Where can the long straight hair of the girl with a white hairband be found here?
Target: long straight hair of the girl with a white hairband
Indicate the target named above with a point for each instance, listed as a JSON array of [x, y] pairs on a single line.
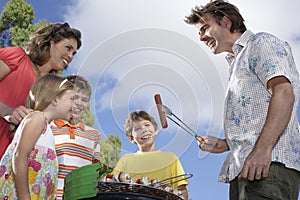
[[45, 90]]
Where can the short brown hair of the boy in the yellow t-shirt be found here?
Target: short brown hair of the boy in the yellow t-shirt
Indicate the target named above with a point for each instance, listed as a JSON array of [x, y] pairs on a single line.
[[138, 116]]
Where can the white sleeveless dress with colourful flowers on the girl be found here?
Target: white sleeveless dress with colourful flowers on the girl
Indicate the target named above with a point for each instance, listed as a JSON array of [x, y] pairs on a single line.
[[42, 168]]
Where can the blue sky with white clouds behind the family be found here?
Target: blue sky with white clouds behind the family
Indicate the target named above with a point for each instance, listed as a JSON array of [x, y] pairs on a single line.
[[124, 42]]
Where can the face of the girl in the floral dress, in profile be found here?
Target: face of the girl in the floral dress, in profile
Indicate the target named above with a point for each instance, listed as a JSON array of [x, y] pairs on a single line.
[[64, 105]]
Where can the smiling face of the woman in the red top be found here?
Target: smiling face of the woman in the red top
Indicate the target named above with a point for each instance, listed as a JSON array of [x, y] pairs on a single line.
[[62, 52]]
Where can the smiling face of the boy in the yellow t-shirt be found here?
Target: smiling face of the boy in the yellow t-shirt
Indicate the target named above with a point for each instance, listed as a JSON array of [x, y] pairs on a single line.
[[143, 133]]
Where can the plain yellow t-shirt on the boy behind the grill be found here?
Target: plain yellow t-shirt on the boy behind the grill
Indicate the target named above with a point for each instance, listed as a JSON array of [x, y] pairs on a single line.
[[155, 165]]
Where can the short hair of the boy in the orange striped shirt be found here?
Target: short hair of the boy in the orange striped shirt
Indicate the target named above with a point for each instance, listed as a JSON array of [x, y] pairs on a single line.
[[80, 84]]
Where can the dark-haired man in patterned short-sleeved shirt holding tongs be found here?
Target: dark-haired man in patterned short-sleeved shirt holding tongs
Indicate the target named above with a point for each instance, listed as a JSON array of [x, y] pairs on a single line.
[[260, 124]]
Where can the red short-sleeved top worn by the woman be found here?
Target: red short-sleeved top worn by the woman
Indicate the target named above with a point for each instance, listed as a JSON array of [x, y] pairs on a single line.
[[14, 88]]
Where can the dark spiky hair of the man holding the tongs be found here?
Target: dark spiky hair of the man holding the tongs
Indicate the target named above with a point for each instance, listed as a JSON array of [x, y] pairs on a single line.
[[218, 9]]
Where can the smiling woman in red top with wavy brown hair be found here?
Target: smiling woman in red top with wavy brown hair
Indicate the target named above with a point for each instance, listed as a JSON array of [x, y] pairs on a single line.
[[50, 49]]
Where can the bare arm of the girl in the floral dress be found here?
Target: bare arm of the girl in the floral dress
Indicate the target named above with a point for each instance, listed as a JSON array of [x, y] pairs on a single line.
[[32, 128]]
